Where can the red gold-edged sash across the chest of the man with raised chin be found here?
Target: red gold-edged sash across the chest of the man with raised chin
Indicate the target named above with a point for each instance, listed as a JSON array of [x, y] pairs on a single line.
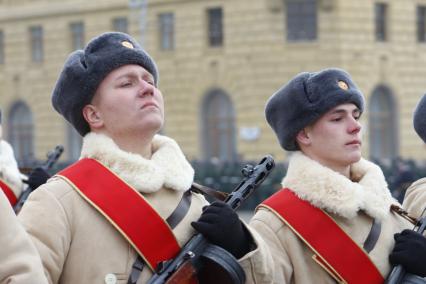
[[120, 204]]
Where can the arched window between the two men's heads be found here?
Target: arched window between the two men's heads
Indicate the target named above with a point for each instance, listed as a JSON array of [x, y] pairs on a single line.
[[218, 119]]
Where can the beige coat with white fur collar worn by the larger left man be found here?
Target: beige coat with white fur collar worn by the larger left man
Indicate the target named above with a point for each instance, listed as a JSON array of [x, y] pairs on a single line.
[[77, 244]]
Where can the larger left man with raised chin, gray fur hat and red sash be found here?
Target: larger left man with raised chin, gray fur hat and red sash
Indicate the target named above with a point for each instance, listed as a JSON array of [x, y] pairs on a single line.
[[92, 220]]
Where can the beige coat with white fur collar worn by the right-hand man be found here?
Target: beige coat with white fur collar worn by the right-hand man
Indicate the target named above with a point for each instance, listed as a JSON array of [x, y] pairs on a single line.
[[353, 204]]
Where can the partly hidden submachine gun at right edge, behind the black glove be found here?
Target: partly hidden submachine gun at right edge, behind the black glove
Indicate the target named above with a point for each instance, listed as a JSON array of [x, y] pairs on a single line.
[[398, 274]]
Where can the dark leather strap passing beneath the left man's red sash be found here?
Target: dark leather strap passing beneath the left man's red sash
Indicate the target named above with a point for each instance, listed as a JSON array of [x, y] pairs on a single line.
[[173, 220]]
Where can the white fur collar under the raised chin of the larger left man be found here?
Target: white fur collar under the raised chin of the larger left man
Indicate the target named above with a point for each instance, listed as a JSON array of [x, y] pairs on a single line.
[[167, 167]]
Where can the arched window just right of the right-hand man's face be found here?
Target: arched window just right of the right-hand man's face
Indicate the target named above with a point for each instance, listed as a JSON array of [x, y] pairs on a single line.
[[383, 126]]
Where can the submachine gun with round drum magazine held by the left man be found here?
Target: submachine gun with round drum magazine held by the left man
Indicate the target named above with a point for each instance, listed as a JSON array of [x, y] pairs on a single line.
[[201, 262]]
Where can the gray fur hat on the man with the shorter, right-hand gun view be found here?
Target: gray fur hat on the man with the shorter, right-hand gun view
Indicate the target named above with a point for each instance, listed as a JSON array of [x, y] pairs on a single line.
[[305, 98]]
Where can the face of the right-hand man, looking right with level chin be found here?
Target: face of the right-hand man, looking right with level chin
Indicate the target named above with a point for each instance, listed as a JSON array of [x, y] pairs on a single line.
[[335, 139]]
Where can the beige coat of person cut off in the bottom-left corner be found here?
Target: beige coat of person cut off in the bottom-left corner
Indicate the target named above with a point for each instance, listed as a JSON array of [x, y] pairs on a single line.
[[19, 260]]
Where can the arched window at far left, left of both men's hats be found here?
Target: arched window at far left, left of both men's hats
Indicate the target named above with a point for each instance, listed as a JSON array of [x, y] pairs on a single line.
[[21, 133]]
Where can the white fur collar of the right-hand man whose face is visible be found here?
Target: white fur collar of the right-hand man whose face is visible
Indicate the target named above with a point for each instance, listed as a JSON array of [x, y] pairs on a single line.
[[333, 192]]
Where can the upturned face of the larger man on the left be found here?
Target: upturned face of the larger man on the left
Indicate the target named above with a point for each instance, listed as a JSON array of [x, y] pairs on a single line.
[[128, 102]]
